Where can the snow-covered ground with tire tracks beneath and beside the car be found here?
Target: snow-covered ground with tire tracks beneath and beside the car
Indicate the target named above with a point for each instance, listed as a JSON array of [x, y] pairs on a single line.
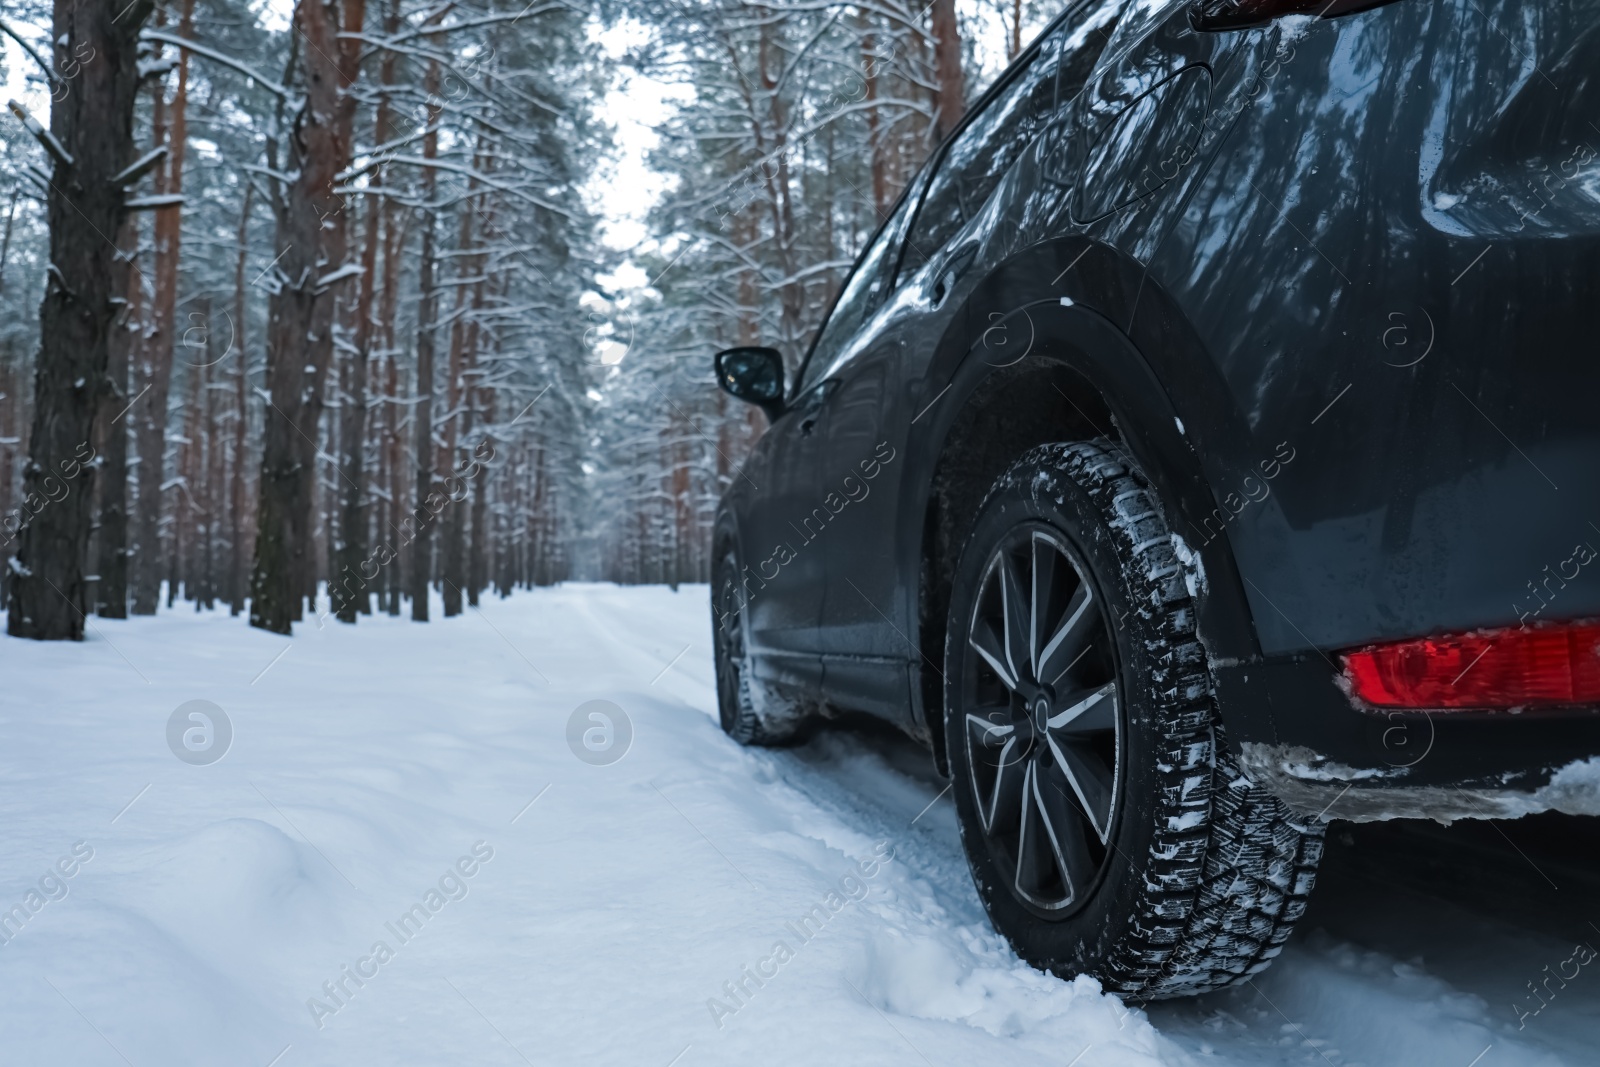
[[580, 914]]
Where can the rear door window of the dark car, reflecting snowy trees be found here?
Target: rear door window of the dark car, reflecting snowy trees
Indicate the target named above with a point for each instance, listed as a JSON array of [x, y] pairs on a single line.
[[991, 143]]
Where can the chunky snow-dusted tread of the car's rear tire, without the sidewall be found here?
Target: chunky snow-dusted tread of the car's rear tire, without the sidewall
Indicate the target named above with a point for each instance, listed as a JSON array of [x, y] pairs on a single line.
[[1230, 868]]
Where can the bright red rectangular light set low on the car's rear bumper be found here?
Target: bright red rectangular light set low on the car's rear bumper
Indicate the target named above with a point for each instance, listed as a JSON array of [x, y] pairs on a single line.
[[1510, 668]]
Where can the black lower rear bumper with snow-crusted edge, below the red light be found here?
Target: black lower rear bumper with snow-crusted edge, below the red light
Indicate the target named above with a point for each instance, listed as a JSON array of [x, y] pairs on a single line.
[[1298, 733]]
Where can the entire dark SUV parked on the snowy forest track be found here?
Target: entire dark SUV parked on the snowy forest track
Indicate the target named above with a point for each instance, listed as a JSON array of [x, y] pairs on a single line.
[[1207, 447]]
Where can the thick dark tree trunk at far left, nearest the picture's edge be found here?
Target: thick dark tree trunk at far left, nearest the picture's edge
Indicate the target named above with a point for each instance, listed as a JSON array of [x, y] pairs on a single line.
[[94, 127]]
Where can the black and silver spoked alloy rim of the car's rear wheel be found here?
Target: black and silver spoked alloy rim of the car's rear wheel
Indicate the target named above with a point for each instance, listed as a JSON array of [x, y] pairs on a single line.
[[1042, 721]]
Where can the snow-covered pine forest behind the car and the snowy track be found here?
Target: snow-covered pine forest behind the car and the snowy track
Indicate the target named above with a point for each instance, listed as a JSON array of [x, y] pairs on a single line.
[[329, 295]]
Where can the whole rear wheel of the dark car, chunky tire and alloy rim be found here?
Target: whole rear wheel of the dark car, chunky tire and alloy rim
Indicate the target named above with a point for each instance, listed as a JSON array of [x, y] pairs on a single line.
[[1108, 826]]
